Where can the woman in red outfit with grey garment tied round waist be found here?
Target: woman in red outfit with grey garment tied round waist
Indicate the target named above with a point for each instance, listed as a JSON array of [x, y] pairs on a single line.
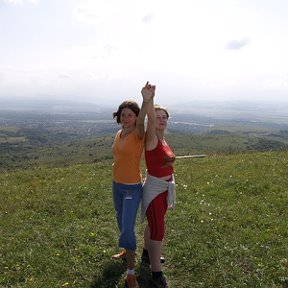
[[159, 159]]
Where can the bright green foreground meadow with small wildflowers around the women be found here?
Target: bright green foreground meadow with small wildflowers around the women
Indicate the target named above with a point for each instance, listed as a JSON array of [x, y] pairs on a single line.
[[229, 228]]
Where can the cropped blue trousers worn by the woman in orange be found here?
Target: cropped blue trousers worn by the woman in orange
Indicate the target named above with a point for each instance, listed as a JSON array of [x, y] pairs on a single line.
[[126, 203]]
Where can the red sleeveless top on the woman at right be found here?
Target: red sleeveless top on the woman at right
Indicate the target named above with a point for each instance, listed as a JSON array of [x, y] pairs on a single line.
[[159, 160]]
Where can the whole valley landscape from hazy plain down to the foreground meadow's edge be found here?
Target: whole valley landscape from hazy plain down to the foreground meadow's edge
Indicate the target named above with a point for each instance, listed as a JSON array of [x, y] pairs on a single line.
[[33, 138]]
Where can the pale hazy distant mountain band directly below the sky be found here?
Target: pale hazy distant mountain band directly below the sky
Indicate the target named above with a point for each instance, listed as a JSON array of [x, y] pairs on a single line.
[[252, 110]]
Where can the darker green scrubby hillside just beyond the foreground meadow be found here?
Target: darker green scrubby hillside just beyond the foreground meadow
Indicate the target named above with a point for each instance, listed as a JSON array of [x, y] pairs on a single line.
[[17, 152]]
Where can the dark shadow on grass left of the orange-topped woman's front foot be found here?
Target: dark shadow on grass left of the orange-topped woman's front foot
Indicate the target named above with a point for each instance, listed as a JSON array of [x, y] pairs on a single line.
[[110, 276]]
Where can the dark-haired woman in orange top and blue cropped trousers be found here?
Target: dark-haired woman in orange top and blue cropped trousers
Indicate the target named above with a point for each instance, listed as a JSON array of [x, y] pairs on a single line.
[[127, 180]]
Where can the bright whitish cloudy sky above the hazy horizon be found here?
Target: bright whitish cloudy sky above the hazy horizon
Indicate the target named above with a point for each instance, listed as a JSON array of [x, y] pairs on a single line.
[[104, 51]]
